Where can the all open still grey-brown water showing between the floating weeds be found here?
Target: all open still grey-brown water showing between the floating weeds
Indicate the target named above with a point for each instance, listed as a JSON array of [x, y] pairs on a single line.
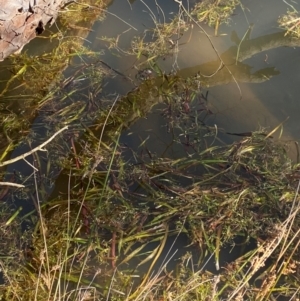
[[265, 94]]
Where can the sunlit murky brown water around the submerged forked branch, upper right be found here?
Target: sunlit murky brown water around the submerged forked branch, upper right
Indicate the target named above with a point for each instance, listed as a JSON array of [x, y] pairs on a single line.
[[260, 60]]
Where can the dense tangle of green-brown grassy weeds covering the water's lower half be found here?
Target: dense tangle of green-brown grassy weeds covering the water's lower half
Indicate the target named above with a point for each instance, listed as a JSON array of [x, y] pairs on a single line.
[[85, 238]]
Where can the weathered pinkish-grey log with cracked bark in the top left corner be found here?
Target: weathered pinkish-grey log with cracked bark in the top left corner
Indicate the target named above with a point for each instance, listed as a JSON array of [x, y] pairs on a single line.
[[22, 20]]
